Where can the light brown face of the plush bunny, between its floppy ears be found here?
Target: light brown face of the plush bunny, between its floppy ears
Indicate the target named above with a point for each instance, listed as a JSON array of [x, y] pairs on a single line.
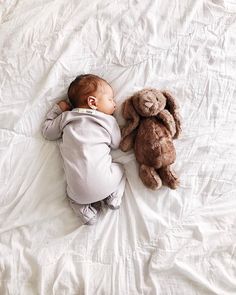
[[148, 102]]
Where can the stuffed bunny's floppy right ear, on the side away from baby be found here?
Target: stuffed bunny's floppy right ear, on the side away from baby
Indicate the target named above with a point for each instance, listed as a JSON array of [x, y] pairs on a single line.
[[173, 107]]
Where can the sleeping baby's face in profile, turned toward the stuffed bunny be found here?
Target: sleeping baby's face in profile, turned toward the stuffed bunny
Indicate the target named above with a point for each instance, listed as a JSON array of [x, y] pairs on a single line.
[[105, 99]]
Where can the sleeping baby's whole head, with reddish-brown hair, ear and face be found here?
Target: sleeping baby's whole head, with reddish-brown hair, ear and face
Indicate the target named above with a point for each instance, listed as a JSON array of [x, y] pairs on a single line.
[[91, 91]]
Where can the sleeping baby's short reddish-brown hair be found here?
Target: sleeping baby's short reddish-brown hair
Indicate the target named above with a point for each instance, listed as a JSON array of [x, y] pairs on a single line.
[[81, 87]]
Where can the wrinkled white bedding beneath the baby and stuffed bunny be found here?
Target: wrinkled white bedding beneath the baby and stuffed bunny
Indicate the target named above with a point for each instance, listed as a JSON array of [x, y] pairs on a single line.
[[159, 242]]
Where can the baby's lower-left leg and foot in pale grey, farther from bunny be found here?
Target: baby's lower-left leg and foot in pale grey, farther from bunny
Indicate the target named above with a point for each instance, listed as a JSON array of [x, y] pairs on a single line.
[[86, 212]]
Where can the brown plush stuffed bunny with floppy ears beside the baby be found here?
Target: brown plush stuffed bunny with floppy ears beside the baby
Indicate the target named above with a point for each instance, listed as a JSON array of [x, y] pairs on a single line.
[[153, 121]]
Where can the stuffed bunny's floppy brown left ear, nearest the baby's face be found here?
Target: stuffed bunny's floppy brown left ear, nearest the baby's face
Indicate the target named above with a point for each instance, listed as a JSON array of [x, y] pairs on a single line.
[[132, 117]]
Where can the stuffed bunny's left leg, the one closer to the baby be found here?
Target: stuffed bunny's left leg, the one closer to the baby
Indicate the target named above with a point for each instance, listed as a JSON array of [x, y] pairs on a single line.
[[150, 177]]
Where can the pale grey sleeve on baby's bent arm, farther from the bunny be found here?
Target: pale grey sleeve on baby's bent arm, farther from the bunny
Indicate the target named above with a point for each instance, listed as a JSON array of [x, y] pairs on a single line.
[[51, 127]]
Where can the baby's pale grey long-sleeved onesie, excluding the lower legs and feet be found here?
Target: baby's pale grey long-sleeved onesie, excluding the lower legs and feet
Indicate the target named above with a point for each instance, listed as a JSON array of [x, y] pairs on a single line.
[[87, 137]]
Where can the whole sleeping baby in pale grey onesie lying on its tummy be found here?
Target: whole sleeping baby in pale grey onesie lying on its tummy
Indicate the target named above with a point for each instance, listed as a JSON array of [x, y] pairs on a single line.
[[88, 132]]
